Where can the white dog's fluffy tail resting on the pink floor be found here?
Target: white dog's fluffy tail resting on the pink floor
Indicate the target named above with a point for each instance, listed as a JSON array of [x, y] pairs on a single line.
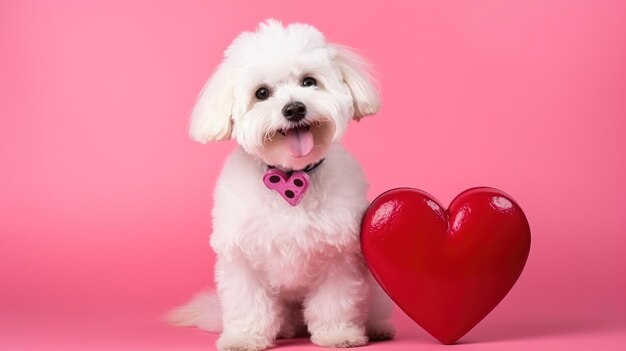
[[203, 311]]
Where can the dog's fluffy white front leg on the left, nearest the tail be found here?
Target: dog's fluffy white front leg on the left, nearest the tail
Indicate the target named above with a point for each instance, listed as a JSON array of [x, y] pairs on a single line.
[[249, 310]]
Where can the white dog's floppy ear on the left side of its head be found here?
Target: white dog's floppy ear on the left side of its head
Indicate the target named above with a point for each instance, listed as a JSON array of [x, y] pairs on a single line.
[[211, 116]]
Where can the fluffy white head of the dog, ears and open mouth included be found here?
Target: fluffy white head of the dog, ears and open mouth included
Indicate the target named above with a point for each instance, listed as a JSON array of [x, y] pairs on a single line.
[[284, 94]]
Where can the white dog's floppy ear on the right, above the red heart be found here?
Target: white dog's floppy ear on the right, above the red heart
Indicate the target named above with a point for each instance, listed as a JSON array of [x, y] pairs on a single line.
[[356, 74]]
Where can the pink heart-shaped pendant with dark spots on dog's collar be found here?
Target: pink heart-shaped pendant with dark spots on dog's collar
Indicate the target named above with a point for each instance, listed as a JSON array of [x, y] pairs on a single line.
[[291, 187]]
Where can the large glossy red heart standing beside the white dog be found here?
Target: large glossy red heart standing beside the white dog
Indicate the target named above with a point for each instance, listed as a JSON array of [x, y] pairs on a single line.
[[447, 269]]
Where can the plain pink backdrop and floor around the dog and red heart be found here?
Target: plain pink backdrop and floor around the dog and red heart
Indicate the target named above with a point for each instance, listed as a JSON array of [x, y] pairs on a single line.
[[104, 202]]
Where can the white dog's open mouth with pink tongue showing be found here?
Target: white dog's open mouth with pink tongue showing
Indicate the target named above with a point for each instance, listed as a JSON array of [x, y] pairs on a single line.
[[301, 139]]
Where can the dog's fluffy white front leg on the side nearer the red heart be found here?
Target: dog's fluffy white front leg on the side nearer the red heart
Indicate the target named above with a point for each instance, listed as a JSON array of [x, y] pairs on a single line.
[[336, 308]]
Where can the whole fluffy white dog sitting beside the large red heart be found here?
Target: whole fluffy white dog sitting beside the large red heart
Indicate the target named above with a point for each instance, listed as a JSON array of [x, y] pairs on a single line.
[[288, 256]]
